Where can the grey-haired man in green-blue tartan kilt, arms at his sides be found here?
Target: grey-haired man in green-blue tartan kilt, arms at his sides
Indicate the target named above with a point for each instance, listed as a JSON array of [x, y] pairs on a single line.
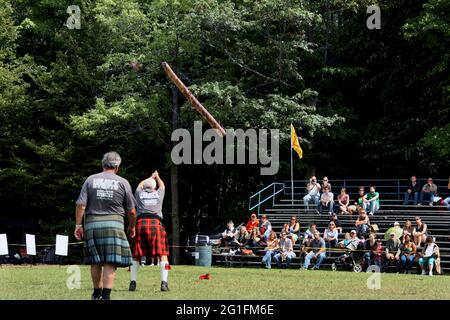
[[104, 199]]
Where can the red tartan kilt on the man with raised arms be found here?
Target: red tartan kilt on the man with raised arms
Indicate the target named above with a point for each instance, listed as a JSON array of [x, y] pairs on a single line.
[[151, 239]]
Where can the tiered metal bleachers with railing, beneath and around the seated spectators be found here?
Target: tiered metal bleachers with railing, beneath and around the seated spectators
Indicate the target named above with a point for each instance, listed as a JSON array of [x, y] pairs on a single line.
[[277, 203]]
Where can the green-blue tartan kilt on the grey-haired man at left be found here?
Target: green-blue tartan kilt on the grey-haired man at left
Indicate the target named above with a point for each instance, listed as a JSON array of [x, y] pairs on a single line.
[[106, 241]]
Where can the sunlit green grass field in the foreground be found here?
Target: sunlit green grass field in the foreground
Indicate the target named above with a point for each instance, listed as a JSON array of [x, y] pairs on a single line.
[[49, 282]]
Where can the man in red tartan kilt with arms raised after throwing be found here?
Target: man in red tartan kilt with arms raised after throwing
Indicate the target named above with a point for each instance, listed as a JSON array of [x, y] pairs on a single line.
[[151, 237]]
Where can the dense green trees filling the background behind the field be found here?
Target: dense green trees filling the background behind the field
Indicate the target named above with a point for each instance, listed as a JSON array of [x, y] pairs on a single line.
[[366, 103]]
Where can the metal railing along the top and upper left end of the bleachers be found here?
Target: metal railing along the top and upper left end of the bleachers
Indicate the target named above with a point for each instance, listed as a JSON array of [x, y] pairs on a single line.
[[389, 189]]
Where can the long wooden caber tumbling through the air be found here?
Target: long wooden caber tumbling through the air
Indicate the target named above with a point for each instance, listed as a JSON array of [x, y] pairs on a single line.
[[193, 100]]
